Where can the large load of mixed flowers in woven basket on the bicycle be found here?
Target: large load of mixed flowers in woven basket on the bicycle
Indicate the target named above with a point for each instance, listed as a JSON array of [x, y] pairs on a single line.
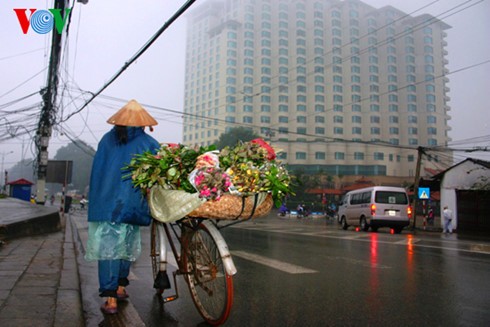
[[238, 182]]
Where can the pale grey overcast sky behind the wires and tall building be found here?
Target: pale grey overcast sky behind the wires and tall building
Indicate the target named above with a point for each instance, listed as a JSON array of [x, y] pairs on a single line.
[[105, 34]]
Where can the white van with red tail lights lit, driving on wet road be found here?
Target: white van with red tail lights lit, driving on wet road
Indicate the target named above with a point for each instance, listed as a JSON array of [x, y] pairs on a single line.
[[377, 206]]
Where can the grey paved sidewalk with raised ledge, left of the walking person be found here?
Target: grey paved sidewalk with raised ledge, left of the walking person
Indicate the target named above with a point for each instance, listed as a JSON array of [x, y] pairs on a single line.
[[40, 283]]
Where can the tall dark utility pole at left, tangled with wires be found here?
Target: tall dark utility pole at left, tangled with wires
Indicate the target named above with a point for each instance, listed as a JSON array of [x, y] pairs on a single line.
[[49, 109]]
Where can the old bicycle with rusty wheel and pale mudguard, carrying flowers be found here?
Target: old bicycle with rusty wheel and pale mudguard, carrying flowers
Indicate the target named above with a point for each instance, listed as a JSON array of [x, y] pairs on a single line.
[[203, 259]]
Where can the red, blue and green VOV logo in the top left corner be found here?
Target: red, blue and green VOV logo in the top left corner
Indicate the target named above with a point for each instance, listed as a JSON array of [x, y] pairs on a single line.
[[42, 21]]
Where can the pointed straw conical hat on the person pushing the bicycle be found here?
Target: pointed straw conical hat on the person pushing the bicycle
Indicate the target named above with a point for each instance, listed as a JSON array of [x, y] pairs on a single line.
[[132, 114]]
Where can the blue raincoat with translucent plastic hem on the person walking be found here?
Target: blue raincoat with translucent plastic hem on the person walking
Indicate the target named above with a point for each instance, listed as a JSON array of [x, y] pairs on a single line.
[[117, 209]]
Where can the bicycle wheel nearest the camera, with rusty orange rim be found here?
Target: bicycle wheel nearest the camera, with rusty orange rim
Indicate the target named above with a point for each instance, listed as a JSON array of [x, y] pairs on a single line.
[[210, 286]]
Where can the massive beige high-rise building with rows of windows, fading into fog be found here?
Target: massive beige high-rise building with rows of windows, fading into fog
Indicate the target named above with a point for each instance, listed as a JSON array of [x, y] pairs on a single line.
[[340, 86]]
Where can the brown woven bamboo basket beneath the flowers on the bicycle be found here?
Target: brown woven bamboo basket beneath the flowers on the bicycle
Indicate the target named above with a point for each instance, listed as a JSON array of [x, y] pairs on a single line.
[[235, 207]]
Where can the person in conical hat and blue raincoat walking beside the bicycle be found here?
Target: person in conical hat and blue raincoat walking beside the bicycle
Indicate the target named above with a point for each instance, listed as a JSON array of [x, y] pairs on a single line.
[[116, 209]]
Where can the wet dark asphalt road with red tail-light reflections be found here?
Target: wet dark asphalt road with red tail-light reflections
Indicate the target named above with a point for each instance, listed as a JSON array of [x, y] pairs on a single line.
[[308, 273]]
